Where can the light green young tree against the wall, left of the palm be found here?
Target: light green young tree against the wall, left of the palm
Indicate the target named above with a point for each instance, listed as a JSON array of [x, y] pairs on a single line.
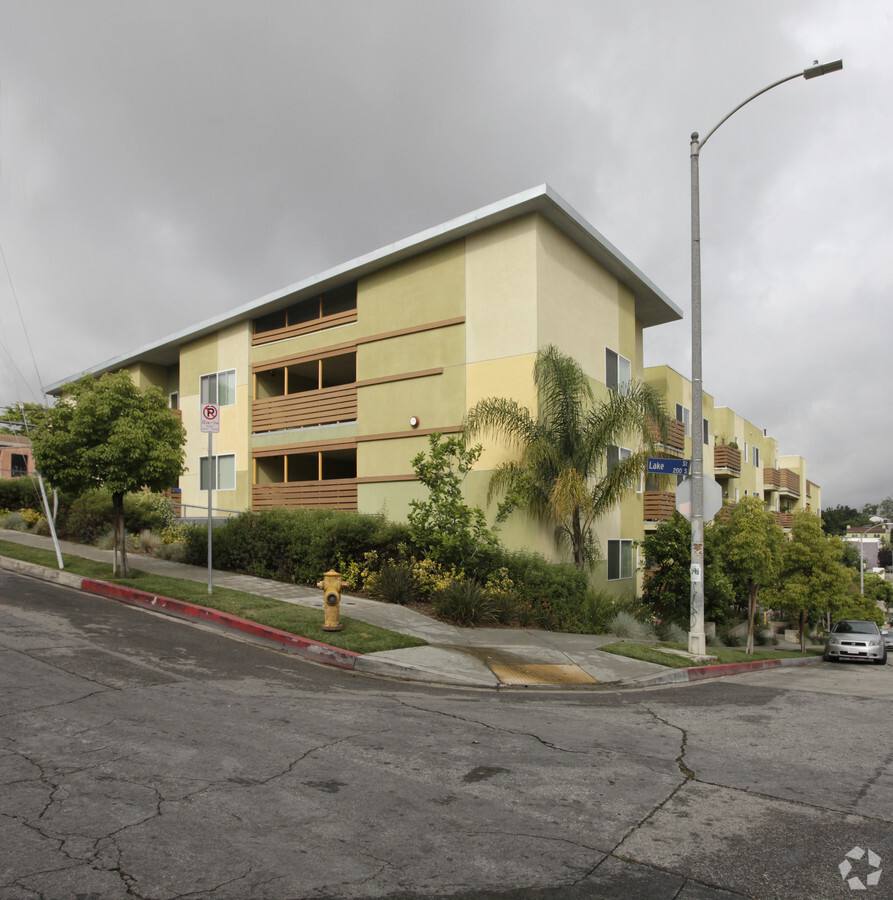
[[450, 532]]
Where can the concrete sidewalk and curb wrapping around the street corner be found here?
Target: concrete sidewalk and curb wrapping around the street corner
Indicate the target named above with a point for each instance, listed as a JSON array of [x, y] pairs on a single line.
[[470, 657]]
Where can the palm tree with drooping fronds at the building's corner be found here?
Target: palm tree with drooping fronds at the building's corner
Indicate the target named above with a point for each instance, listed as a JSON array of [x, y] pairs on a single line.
[[563, 475]]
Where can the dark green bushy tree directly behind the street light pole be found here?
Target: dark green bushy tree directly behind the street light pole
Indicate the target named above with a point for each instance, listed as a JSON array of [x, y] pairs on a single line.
[[667, 586]]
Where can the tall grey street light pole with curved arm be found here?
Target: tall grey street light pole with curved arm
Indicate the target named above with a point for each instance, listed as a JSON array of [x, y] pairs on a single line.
[[697, 641]]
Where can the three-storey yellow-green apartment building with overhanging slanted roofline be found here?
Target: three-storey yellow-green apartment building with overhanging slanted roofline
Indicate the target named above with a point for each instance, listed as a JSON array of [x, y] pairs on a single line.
[[328, 388]]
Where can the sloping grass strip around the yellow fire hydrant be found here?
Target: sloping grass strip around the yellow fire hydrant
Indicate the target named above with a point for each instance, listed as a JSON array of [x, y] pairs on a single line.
[[356, 636]]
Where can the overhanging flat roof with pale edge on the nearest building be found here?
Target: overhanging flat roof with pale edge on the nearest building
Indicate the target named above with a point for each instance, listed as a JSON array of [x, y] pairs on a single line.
[[653, 307]]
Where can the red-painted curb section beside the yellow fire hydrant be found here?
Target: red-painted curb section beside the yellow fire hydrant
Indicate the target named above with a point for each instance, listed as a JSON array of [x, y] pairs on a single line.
[[314, 650]]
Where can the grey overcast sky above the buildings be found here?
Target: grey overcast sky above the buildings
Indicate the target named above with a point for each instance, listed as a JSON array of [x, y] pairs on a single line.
[[161, 163]]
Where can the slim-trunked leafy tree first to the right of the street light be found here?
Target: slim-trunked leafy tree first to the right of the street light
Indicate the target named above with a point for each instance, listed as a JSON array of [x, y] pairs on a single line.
[[750, 544]]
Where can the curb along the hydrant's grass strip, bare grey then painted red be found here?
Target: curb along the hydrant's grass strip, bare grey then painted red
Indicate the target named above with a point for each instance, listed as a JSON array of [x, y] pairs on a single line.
[[313, 650]]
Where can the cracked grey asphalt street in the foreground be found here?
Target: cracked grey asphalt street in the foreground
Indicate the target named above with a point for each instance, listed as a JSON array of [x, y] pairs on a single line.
[[145, 757]]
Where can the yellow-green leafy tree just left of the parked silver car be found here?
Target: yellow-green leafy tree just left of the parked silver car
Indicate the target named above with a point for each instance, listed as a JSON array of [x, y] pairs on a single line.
[[812, 577]]
